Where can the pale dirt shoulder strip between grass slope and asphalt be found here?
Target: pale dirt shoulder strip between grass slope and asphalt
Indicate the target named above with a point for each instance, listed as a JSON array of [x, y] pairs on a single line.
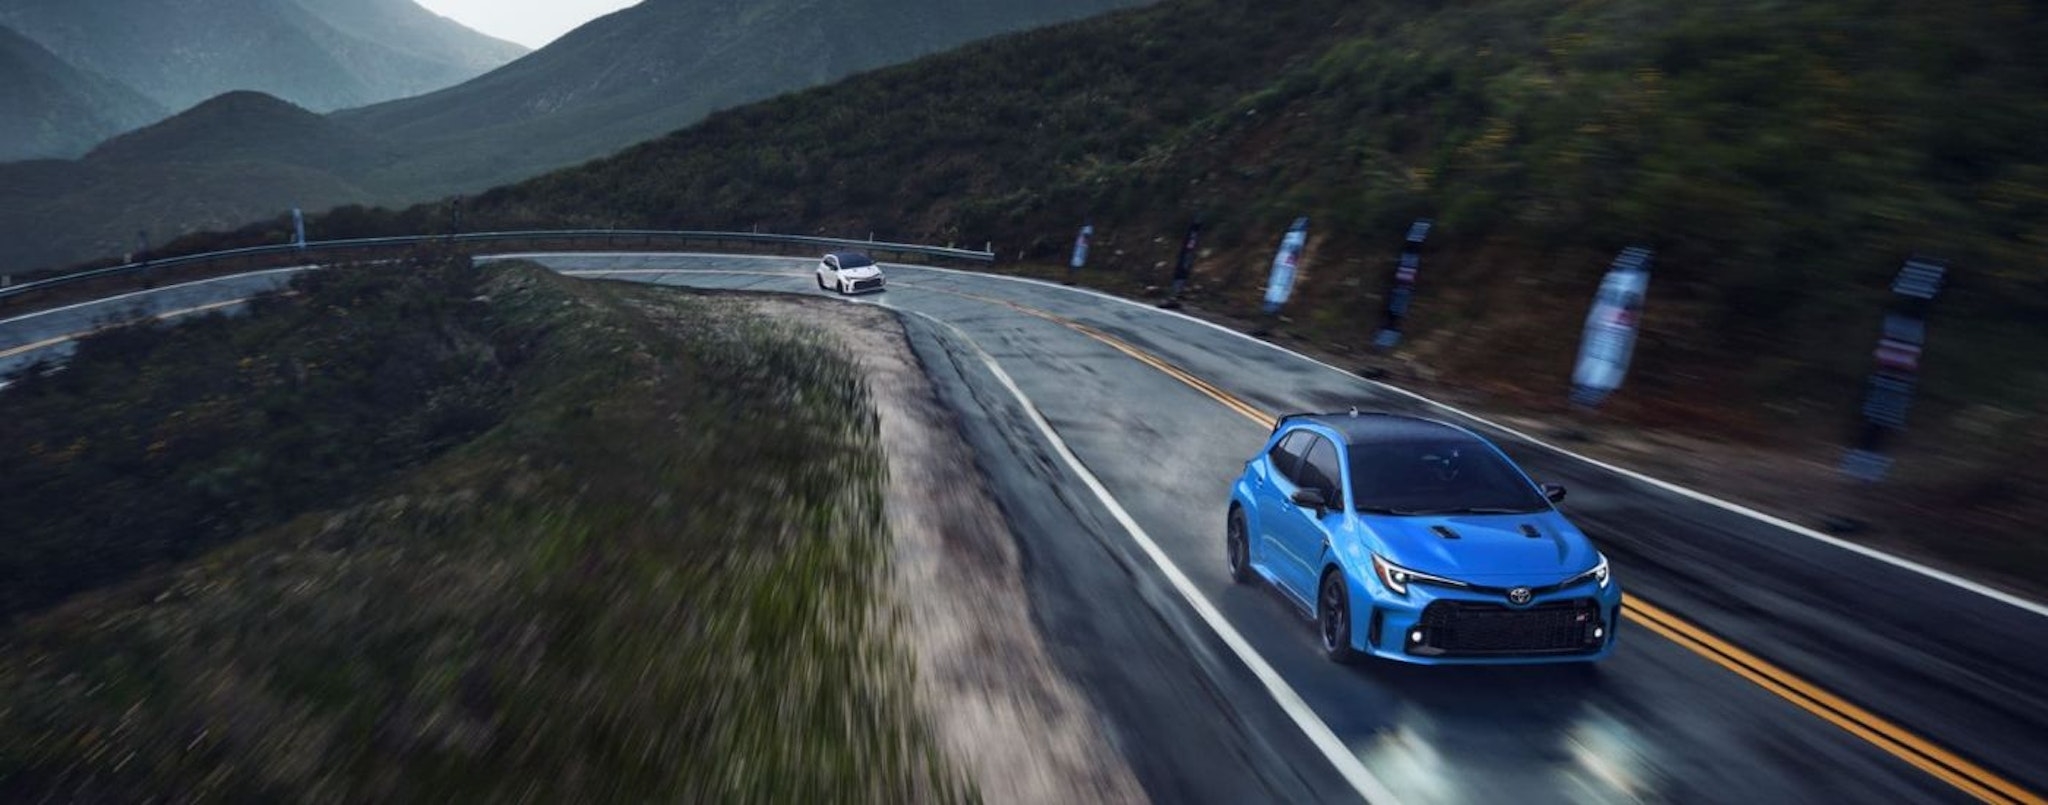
[[996, 700]]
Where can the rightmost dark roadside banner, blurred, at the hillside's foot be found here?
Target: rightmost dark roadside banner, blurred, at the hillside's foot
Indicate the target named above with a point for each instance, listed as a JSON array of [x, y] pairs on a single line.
[[1897, 368]]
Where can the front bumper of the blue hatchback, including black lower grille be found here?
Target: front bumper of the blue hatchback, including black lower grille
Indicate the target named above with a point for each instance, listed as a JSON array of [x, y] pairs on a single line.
[[1447, 626]]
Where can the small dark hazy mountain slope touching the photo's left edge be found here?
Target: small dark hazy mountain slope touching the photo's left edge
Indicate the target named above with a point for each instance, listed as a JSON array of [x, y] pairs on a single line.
[[52, 110]]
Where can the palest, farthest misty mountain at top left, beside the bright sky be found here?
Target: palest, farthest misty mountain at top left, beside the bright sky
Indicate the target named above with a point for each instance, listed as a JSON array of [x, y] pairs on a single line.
[[321, 54]]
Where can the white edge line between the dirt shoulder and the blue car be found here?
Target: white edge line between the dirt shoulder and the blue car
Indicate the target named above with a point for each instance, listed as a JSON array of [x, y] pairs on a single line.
[[1283, 693]]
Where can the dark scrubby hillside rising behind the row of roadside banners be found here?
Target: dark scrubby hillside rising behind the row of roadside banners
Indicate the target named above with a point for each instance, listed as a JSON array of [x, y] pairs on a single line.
[[1783, 161]]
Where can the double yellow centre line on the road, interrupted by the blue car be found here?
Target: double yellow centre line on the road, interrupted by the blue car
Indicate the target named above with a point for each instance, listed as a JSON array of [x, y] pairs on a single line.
[[1859, 722]]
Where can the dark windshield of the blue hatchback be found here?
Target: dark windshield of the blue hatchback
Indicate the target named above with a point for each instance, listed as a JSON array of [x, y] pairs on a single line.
[[1439, 478]]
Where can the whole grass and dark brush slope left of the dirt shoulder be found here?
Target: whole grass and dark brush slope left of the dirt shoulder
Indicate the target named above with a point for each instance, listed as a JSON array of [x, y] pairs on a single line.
[[540, 566]]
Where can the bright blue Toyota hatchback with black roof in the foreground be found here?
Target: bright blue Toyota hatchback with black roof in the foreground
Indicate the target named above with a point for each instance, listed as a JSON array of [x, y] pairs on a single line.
[[1420, 542]]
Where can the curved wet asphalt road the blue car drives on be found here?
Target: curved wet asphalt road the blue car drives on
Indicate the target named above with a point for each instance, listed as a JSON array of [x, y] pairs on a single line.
[[1760, 663]]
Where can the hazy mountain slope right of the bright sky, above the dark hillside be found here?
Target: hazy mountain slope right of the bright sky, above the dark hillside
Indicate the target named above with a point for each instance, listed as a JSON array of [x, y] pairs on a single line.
[[667, 65]]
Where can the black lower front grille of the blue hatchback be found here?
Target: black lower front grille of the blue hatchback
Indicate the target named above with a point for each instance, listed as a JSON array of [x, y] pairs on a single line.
[[1469, 628]]
